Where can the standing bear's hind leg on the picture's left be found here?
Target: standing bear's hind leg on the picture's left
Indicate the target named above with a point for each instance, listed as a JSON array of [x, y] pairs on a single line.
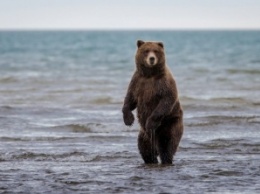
[[145, 148]]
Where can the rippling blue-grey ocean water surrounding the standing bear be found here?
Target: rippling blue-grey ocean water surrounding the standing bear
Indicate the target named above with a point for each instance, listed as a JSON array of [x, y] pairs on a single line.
[[61, 127]]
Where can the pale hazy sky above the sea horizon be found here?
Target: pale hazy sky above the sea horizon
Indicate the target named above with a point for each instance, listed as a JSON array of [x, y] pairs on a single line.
[[129, 14]]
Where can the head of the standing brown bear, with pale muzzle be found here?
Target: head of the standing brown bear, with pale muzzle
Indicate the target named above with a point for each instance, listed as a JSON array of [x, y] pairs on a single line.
[[150, 57]]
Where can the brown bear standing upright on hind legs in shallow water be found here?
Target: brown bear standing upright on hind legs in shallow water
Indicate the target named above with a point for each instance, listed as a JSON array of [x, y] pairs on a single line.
[[153, 92]]
